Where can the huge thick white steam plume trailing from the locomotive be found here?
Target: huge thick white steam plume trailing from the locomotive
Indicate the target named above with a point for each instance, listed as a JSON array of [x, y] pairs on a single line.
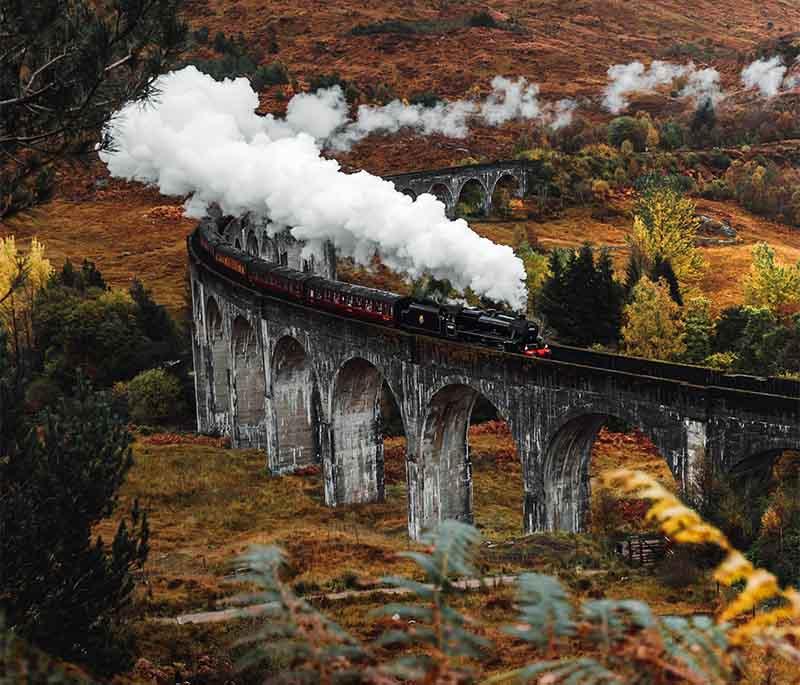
[[202, 137]]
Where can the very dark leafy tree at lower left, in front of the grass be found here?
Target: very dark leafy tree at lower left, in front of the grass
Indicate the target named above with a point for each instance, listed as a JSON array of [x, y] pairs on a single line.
[[60, 586]]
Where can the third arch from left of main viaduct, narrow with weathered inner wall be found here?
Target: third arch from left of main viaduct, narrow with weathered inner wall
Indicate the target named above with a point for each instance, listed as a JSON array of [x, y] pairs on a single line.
[[296, 406]]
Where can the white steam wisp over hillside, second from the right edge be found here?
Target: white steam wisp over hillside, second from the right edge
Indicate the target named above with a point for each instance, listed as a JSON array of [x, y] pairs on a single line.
[[702, 85]]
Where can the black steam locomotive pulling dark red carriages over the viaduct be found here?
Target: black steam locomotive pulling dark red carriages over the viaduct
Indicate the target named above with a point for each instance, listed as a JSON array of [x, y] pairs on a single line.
[[489, 328]]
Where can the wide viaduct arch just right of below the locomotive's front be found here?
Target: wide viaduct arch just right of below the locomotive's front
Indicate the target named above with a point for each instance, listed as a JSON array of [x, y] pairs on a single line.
[[565, 489]]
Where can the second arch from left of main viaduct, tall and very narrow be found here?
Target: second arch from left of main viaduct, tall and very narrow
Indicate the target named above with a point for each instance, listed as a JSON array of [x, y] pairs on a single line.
[[249, 381]]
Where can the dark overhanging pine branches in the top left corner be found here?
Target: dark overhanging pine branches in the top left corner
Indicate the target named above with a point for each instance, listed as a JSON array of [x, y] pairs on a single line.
[[65, 67]]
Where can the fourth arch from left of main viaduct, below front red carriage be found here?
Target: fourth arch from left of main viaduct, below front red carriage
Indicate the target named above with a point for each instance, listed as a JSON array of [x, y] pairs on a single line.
[[357, 432]]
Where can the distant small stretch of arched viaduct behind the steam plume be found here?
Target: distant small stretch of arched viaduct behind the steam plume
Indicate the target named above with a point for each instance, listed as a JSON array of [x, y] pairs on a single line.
[[448, 184]]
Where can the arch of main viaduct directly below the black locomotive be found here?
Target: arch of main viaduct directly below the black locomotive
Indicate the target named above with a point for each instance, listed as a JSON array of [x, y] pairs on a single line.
[[444, 454]]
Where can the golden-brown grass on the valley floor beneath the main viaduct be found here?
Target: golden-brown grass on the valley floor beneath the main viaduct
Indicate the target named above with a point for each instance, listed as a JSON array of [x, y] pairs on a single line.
[[207, 504]]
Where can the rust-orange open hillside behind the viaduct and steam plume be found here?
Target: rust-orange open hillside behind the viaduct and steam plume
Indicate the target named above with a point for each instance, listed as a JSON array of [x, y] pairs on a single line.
[[566, 47]]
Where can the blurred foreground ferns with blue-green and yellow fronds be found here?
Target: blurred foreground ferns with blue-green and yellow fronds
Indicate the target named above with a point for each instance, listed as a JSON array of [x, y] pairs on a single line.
[[429, 639]]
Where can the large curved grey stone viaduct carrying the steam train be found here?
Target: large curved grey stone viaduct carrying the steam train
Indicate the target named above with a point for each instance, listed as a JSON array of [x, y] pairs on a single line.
[[305, 386]]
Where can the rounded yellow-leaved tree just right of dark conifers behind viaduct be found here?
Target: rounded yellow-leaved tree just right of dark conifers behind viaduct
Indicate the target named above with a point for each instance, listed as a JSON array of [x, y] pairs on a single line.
[[653, 326]]
